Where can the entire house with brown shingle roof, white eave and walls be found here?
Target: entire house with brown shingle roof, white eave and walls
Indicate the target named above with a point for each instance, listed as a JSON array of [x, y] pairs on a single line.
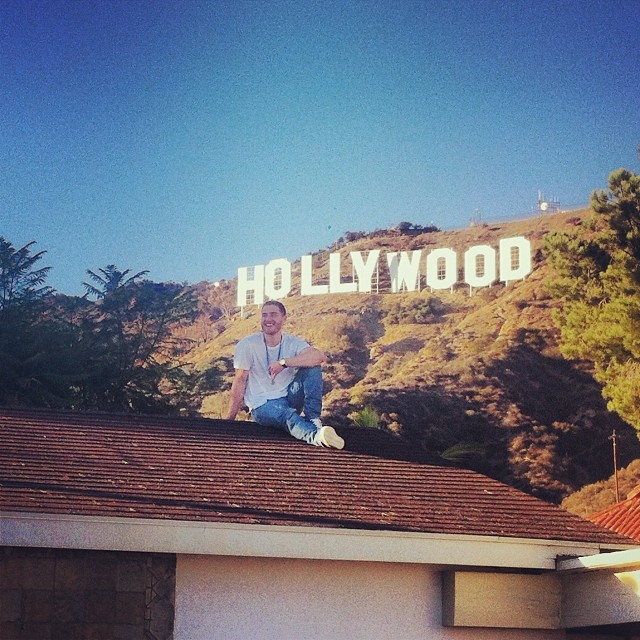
[[129, 526]]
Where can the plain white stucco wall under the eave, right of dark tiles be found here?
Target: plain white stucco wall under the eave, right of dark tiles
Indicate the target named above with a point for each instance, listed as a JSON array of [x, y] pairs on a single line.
[[231, 598]]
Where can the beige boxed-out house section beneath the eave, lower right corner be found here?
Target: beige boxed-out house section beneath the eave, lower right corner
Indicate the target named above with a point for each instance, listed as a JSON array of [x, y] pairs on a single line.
[[600, 593]]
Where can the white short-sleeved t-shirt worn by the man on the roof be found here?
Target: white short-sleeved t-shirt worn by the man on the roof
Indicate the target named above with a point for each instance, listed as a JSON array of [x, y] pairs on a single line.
[[252, 354]]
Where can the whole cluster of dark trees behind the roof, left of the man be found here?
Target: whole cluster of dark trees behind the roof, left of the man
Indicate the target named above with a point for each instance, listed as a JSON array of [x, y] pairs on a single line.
[[119, 352]]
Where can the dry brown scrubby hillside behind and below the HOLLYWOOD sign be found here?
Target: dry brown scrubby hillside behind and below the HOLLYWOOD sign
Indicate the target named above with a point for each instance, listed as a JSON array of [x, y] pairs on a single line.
[[473, 378]]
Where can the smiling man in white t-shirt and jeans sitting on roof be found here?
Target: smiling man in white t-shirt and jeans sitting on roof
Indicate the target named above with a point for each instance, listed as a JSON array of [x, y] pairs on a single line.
[[278, 377]]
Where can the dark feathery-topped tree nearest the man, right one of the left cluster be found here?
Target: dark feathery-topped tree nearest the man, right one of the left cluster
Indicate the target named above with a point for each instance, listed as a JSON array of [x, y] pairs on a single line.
[[136, 358]]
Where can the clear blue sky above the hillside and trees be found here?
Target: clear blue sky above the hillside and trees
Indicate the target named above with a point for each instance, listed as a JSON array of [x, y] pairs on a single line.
[[190, 138]]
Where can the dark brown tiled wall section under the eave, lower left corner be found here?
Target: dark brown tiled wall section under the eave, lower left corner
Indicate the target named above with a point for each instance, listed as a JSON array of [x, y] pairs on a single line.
[[55, 594]]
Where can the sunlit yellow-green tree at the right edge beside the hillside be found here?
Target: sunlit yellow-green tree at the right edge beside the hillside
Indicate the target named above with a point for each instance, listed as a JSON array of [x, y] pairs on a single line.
[[598, 278]]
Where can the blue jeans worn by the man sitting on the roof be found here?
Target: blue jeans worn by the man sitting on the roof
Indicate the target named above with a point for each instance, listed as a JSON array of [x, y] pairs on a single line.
[[304, 396]]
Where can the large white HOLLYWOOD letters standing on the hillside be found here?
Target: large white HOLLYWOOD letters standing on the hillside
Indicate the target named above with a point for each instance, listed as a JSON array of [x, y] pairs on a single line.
[[482, 266]]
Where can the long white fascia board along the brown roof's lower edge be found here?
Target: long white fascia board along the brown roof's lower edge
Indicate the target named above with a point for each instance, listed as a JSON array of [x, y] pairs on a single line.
[[210, 538]]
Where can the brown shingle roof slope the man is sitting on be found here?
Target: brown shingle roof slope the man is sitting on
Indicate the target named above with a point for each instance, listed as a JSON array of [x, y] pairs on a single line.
[[236, 472]]
